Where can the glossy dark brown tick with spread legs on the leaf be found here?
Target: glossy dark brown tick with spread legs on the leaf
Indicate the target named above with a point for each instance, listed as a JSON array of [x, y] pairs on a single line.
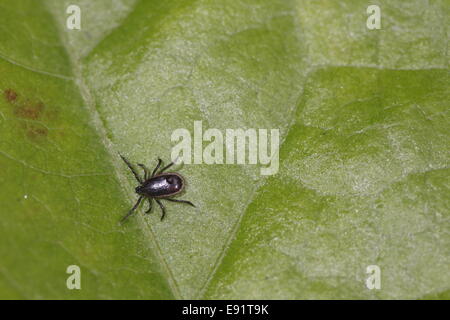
[[159, 185]]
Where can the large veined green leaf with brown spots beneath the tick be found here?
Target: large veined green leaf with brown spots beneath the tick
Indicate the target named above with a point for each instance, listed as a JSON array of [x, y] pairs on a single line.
[[363, 179]]
